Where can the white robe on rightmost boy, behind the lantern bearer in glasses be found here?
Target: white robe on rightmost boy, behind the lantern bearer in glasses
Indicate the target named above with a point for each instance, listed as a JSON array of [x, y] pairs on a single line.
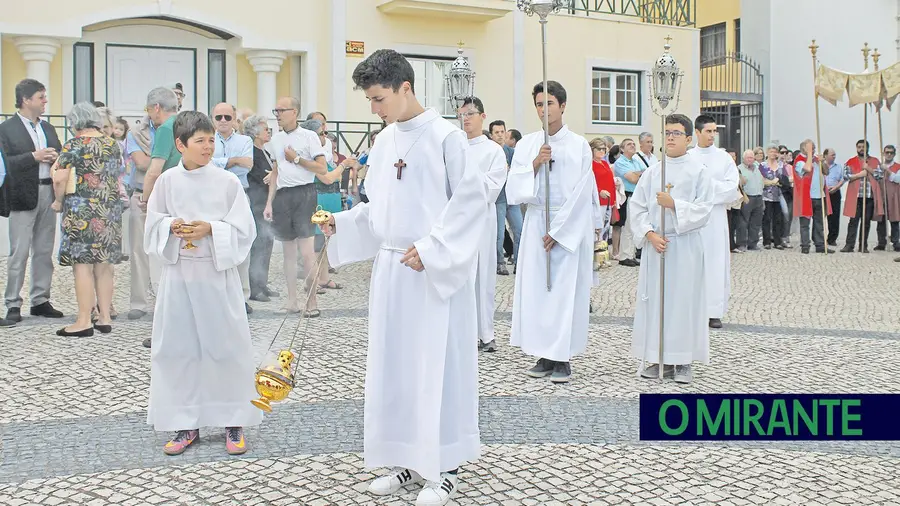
[[725, 181]]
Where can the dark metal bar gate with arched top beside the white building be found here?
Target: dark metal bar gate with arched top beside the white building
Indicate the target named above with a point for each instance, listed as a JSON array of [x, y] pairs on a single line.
[[731, 91]]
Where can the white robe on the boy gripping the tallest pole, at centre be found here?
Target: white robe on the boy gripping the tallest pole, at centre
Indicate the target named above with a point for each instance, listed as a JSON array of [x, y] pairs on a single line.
[[554, 325]]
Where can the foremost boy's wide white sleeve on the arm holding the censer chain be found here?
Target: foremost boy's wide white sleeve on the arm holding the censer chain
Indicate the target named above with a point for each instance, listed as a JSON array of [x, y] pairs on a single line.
[[353, 240]]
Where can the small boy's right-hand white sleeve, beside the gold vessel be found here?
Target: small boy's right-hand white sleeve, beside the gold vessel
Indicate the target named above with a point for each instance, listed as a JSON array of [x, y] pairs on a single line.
[[233, 235]]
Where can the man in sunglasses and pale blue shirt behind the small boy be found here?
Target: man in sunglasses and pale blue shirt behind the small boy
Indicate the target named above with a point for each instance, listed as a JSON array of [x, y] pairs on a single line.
[[234, 153]]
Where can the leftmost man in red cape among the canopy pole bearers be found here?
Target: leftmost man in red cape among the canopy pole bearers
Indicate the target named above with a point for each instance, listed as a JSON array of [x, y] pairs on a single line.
[[808, 189]]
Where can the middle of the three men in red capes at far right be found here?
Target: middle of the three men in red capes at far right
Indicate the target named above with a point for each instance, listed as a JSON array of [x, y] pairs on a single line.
[[855, 170]]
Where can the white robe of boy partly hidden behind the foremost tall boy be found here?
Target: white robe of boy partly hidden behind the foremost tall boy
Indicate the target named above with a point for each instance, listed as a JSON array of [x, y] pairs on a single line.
[[490, 159]]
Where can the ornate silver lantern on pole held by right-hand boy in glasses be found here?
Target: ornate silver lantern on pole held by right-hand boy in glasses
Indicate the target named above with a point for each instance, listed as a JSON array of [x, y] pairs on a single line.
[[665, 91]]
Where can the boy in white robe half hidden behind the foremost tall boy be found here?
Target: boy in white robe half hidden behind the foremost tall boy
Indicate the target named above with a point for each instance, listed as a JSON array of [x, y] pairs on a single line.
[[490, 159]]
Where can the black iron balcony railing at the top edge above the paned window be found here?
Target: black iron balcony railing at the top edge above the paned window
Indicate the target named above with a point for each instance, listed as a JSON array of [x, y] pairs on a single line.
[[657, 12]]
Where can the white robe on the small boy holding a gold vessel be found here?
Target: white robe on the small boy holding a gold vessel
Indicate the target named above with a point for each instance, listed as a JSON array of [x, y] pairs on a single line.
[[202, 368]]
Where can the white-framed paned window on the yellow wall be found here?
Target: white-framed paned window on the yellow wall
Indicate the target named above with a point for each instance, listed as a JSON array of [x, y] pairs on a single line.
[[616, 97]]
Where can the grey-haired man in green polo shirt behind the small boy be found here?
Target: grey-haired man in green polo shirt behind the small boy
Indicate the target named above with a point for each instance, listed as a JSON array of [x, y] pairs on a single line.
[[162, 107]]
